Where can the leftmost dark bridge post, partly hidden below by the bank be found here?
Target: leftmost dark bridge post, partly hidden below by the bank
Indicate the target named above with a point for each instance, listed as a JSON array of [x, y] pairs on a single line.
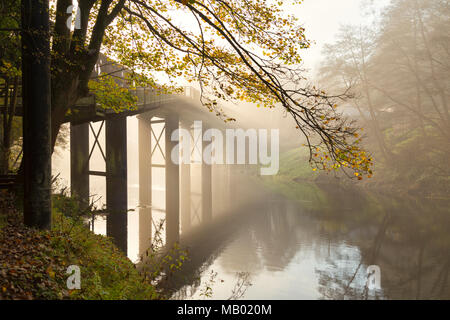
[[79, 162]]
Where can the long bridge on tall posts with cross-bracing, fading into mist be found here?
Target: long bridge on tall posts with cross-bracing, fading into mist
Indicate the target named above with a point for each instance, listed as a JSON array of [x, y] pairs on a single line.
[[159, 115]]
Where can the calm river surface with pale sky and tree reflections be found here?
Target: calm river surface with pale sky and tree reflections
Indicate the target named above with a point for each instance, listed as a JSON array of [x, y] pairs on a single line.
[[319, 247]]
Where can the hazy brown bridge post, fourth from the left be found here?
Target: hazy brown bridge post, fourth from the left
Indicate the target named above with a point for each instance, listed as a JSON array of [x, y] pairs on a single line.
[[172, 184]]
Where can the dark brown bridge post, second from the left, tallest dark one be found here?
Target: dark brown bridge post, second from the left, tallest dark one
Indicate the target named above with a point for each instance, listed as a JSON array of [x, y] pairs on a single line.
[[116, 181]]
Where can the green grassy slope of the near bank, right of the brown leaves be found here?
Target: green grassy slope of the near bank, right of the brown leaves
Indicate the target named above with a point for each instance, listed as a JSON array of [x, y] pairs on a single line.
[[106, 273]]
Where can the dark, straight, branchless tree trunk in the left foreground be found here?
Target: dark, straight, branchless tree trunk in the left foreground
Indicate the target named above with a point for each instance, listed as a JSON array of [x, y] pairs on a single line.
[[37, 113]]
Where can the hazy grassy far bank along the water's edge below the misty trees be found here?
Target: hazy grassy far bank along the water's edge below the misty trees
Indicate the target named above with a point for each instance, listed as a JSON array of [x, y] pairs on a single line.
[[411, 170]]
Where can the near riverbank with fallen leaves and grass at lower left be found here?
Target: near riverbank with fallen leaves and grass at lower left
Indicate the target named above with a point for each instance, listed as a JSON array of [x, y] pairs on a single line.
[[33, 263]]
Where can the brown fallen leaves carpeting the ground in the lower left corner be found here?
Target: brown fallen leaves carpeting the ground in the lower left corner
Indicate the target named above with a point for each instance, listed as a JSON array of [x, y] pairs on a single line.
[[28, 270]]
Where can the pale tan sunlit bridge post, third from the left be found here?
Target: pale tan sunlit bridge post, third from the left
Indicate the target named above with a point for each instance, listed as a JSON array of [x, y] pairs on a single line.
[[145, 185]]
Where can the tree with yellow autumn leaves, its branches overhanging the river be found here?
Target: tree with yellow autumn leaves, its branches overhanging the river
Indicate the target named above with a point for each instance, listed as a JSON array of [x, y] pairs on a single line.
[[239, 50]]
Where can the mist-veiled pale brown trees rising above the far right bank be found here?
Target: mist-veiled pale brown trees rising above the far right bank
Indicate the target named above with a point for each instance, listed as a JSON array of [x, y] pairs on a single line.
[[399, 74]]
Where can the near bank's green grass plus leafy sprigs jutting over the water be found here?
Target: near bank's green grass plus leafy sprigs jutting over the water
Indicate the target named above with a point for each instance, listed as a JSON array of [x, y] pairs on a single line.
[[106, 272]]
